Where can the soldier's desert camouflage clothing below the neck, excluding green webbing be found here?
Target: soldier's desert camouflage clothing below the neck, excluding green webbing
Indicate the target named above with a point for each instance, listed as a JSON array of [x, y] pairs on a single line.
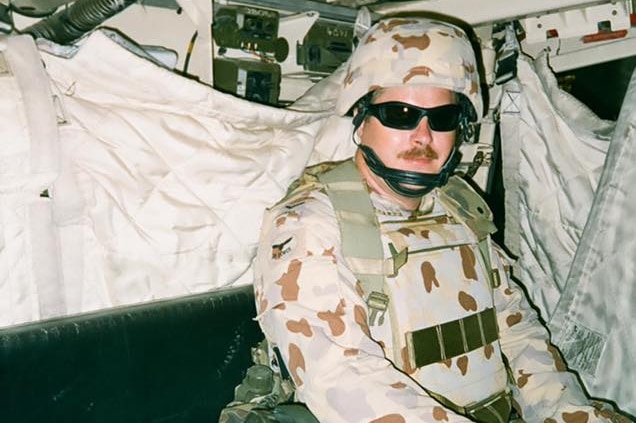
[[311, 307]]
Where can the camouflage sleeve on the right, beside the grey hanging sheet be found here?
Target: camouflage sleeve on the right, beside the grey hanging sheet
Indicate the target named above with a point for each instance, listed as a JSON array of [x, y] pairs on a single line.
[[544, 390]]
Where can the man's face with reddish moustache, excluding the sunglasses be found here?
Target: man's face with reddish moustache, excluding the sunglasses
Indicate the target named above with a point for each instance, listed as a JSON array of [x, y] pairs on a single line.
[[420, 149]]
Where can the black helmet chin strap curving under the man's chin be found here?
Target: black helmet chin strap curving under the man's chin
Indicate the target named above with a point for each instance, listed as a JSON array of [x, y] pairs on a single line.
[[396, 178]]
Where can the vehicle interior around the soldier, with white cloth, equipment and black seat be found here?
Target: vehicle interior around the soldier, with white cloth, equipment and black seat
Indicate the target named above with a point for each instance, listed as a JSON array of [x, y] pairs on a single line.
[[144, 139]]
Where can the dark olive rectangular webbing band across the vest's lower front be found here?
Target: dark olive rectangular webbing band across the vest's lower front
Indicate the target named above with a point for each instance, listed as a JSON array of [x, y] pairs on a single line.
[[451, 339]]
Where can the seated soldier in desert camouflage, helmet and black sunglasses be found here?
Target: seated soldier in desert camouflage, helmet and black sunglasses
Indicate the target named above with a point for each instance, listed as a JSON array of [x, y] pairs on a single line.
[[377, 285]]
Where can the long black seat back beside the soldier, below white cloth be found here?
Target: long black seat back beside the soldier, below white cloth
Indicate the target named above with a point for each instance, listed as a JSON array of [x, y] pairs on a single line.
[[167, 361]]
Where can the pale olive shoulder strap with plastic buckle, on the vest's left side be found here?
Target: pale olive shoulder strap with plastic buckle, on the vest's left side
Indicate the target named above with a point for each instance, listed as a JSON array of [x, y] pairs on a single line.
[[360, 234]]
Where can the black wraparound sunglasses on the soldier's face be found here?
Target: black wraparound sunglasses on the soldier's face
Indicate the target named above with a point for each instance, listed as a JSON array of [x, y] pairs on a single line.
[[397, 115]]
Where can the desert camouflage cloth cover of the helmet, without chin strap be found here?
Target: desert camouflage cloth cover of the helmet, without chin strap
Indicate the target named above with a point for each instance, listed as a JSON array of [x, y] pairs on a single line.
[[411, 51]]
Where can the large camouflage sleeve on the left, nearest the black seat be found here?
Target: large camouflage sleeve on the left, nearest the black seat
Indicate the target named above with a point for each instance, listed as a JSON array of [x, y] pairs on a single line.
[[309, 307]]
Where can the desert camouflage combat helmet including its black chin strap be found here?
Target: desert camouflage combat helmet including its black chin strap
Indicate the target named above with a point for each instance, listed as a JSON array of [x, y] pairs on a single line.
[[413, 50]]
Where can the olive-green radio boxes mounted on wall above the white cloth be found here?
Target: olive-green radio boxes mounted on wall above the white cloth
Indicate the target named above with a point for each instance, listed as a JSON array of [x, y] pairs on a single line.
[[259, 51]]
